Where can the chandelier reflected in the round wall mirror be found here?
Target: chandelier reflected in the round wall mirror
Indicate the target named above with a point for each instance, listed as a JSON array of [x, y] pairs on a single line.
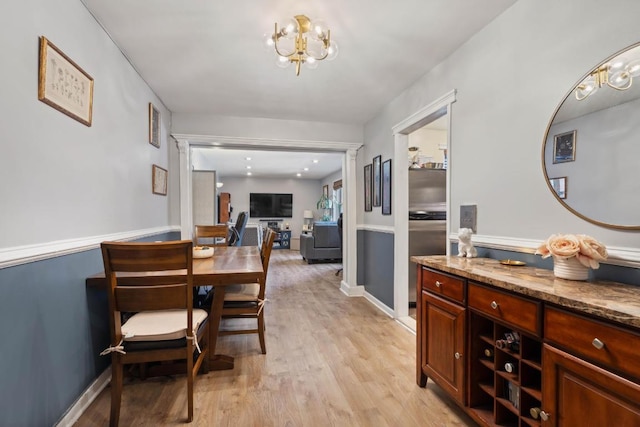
[[617, 74]]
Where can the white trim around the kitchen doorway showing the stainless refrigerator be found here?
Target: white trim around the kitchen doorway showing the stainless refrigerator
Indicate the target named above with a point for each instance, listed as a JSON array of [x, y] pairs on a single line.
[[401, 131]]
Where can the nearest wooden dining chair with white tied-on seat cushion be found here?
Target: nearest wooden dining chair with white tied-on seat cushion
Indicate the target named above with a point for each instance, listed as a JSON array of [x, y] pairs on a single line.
[[164, 326]]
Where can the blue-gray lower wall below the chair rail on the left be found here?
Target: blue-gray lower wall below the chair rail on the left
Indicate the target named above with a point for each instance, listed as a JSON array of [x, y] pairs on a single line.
[[52, 330]]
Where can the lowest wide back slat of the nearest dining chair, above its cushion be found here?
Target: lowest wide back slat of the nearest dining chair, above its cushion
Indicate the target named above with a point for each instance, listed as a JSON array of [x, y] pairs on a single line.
[[145, 298]]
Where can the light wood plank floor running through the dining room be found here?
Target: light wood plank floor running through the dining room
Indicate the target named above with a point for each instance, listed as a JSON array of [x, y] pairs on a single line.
[[331, 361]]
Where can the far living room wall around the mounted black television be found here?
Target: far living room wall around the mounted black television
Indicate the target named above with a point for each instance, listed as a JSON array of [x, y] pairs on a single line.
[[305, 196]]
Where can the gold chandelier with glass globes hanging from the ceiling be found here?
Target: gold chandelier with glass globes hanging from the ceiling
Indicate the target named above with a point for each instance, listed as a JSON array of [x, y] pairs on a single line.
[[301, 41]]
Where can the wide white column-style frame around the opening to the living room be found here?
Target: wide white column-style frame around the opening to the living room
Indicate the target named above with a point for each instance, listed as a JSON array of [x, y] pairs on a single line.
[[350, 256]]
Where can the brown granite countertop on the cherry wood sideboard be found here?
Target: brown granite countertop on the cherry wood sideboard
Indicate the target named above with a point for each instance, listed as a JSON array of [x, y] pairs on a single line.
[[610, 300]]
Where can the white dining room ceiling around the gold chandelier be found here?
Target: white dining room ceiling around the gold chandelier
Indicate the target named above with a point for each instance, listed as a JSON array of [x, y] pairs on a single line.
[[208, 57]]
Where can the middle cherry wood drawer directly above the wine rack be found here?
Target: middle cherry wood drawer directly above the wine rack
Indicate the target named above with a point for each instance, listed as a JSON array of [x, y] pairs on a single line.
[[519, 312]]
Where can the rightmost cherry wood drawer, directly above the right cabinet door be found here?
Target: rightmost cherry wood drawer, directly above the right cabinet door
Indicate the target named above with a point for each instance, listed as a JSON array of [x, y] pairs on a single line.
[[615, 348]]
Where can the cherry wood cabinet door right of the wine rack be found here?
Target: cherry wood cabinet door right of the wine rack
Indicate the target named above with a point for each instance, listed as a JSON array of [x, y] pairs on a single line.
[[576, 393]]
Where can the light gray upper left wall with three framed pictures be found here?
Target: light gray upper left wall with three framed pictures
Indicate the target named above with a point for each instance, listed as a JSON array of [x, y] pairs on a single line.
[[60, 178]]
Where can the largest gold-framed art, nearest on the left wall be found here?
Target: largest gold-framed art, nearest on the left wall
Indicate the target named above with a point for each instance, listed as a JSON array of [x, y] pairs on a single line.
[[63, 85]]
